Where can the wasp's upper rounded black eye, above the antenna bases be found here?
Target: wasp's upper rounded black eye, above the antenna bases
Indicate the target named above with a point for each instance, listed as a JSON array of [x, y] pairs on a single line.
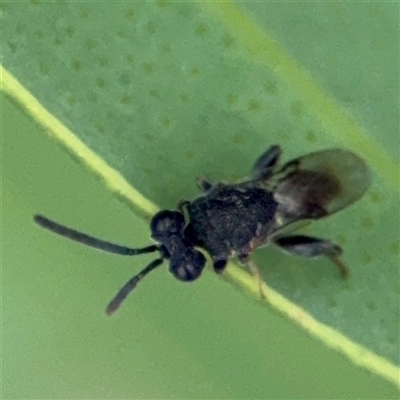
[[166, 223]]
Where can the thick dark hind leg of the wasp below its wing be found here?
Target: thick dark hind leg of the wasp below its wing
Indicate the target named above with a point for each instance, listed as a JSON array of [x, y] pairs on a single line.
[[305, 246]]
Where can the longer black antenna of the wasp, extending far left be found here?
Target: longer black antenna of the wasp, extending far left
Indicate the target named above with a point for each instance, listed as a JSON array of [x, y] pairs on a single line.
[[90, 240]]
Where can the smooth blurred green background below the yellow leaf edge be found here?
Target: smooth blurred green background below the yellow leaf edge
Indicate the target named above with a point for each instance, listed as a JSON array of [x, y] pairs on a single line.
[[170, 340]]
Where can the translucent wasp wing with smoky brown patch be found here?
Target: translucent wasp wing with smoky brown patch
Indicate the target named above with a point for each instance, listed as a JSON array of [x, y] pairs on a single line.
[[319, 184]]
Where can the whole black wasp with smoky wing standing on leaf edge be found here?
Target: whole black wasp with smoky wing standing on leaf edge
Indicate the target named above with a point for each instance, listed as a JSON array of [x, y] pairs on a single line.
[[229, 220]]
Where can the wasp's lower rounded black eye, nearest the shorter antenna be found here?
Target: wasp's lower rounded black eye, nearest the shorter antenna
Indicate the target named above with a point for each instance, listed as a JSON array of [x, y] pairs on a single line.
[[188, 267]]
